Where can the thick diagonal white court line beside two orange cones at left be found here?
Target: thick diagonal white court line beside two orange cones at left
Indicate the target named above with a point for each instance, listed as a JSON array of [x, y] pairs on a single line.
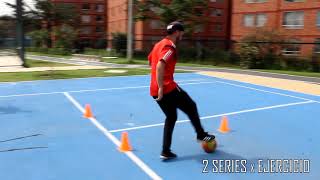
[[105, 131]]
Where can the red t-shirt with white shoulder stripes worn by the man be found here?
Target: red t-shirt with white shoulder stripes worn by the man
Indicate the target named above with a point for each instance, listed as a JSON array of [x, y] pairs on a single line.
[[165, 51]]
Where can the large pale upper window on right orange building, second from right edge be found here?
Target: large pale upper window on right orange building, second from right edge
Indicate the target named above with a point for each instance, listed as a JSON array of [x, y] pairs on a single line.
[[293, 19]]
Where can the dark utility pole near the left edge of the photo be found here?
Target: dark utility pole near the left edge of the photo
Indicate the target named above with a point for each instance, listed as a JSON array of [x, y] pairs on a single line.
[[20, 32]]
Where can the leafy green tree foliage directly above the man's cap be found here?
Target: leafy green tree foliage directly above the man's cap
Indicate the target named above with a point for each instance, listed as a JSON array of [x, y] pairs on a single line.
[[191, 12]]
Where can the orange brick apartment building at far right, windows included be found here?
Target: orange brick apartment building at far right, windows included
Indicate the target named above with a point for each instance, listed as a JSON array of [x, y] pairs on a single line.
[[297, 20]]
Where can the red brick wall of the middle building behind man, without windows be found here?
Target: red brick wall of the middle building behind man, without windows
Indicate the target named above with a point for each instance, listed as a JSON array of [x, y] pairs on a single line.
[[117, 22]]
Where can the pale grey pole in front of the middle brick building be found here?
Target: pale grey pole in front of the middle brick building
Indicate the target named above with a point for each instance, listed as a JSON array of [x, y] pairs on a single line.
[[130, 32]]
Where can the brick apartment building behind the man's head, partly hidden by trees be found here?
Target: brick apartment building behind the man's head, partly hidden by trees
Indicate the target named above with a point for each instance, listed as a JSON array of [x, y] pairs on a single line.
[[149, 31]]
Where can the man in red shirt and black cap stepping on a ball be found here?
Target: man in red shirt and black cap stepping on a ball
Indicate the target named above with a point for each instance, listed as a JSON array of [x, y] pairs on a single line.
[[167, 93]]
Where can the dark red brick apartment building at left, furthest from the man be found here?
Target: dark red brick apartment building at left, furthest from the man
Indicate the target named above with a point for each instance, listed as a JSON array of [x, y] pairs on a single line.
[[92, 20]]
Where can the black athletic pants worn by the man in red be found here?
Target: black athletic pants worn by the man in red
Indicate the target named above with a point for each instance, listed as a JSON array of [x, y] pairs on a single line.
[[178, 99]]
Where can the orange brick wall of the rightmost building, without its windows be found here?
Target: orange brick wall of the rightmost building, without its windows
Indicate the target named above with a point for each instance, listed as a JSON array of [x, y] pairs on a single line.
[[275, 10]]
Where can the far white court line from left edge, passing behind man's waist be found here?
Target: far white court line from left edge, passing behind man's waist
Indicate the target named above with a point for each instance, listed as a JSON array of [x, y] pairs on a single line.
[[93, 90]]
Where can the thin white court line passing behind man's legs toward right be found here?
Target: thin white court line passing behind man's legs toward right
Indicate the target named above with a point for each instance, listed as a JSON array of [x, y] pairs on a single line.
[[218, 115]]
